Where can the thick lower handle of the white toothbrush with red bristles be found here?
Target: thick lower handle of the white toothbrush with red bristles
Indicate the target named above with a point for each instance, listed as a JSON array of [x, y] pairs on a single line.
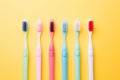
[[90, 64]]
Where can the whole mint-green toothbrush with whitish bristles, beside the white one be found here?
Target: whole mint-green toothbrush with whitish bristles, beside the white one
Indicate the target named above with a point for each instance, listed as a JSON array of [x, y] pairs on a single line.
[[77, 49]]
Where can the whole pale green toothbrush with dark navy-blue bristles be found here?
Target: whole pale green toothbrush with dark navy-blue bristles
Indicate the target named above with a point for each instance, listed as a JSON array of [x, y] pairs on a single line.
[[25, 51]]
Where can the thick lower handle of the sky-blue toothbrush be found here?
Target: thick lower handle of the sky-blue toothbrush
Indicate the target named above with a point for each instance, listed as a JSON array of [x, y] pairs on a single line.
[[64, 65]]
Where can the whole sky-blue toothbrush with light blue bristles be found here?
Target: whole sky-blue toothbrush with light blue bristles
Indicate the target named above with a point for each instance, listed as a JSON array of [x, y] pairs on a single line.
[[64, 52]]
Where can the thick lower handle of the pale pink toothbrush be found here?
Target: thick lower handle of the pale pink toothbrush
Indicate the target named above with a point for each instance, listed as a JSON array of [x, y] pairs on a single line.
[[38, 65]]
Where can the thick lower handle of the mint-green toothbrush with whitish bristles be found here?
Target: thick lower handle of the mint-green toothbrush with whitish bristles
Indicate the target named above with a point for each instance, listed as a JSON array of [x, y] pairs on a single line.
[[77, 62]]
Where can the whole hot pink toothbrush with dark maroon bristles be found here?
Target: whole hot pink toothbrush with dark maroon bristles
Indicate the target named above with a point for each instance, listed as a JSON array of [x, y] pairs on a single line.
[[51, 51]]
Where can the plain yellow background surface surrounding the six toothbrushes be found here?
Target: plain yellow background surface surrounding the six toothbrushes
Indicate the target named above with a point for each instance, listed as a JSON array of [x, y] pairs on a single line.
[[106, 36]]
